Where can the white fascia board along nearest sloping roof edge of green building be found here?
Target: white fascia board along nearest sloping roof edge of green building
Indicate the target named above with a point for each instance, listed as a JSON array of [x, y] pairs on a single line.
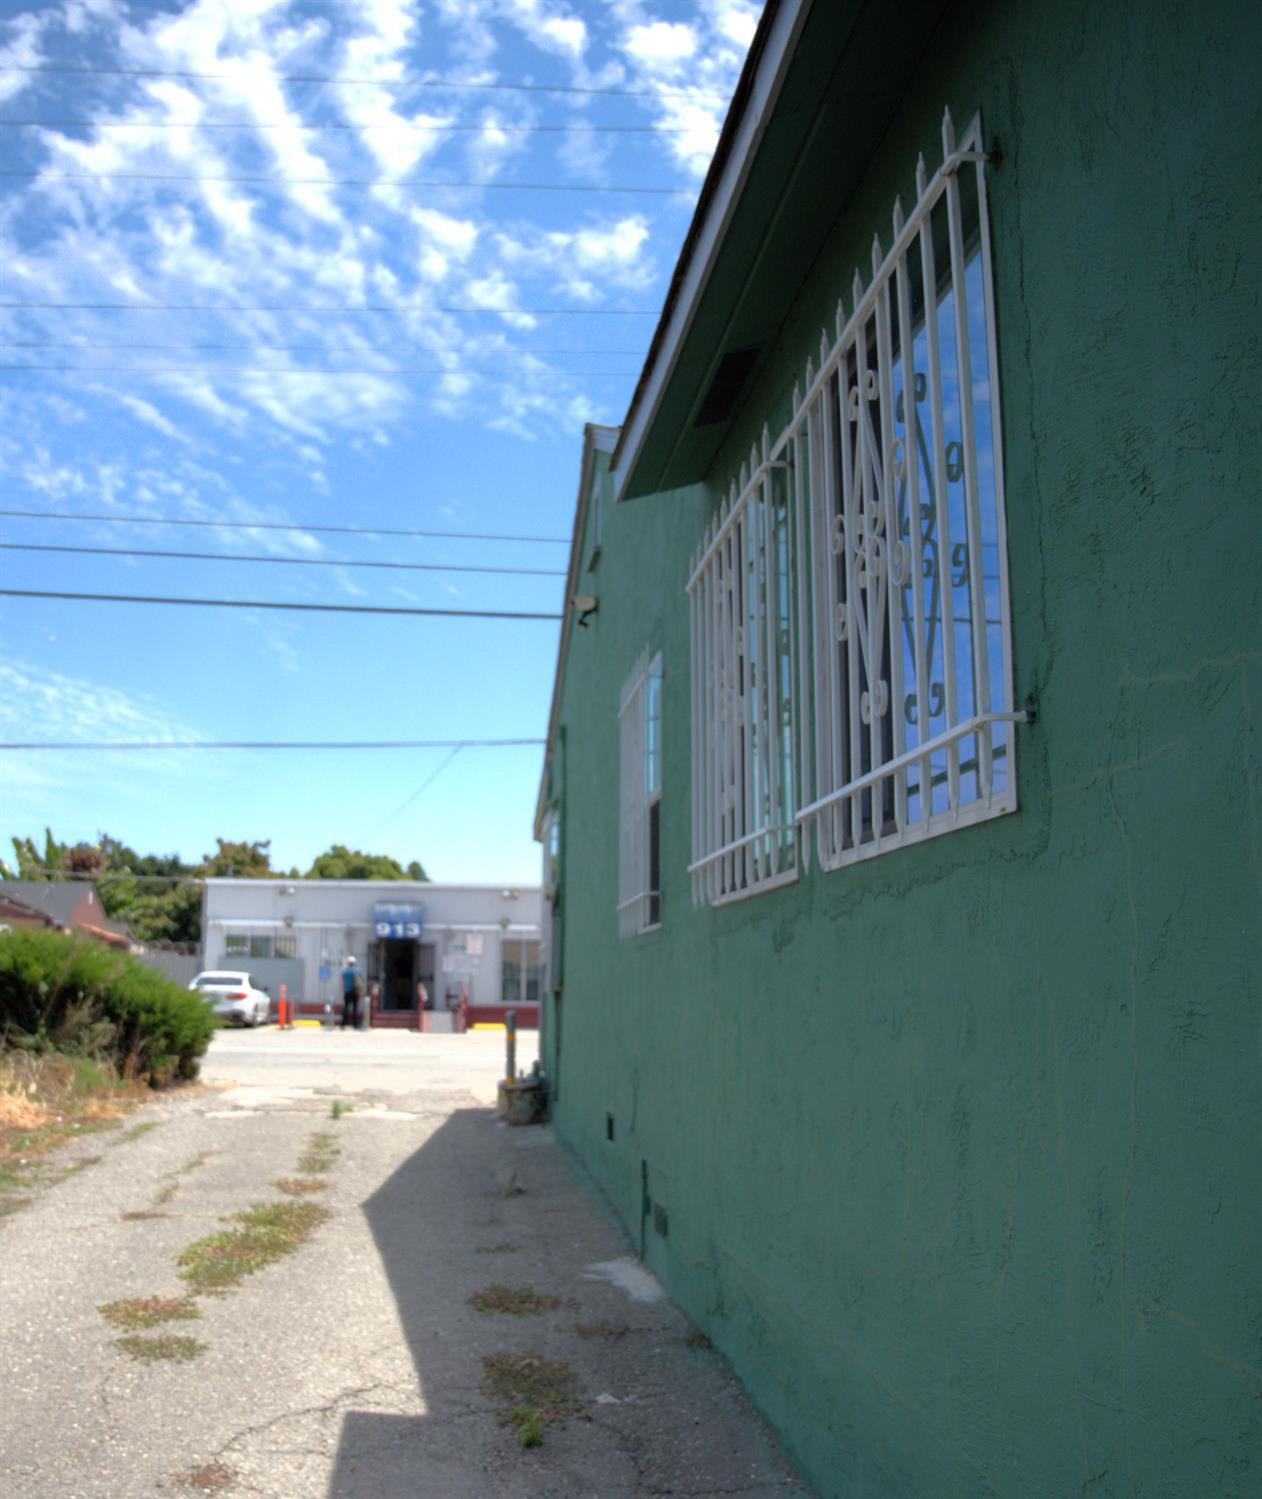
[[768, 80]]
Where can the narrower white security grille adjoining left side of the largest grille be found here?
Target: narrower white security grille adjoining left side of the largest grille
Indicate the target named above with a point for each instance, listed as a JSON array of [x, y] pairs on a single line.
[[743, 591]]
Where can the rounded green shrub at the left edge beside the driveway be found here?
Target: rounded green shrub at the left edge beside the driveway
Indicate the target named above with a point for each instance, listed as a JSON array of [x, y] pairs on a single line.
[[70, 995]]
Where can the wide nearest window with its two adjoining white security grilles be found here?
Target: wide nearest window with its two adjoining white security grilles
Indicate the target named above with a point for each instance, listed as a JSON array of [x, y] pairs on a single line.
[[893, 690]]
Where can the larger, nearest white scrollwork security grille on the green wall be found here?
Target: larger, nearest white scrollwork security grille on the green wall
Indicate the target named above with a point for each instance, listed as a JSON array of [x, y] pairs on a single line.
[[897, 459]]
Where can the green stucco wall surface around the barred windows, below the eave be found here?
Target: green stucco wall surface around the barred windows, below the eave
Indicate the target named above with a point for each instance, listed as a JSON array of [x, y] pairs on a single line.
[[960, 1146]]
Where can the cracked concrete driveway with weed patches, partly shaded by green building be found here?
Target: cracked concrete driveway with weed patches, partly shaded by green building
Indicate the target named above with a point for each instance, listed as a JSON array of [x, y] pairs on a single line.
[[354, 1366]]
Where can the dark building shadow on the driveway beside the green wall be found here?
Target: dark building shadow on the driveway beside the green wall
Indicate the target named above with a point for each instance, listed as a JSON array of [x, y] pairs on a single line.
[[480, 1204]]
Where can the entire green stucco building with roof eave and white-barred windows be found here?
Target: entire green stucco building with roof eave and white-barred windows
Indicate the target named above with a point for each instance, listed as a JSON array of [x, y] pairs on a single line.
[[903, 779]]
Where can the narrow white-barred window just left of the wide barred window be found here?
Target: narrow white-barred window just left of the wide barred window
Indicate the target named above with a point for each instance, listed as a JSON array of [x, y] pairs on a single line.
[[639, 722]]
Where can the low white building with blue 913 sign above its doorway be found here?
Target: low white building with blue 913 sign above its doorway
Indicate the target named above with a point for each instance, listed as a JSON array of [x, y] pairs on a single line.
[[450, 945]]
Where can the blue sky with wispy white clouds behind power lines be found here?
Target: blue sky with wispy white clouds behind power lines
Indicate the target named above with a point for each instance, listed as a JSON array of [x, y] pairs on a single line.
[[420, 417]]
